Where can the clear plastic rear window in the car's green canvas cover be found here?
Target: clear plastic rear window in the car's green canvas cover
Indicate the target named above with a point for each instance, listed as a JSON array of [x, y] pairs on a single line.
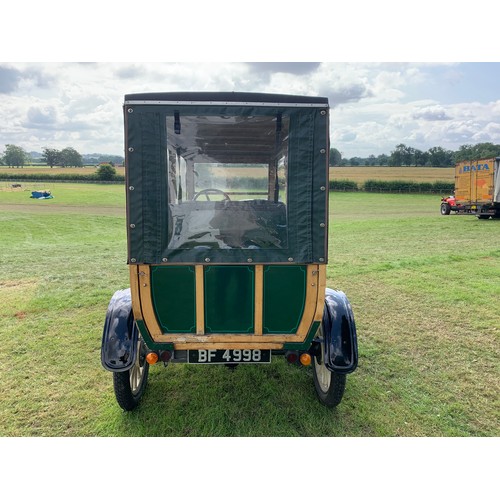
[[227, 180]]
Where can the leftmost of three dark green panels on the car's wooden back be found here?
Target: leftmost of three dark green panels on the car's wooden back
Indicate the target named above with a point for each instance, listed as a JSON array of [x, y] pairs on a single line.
[[173, 290]]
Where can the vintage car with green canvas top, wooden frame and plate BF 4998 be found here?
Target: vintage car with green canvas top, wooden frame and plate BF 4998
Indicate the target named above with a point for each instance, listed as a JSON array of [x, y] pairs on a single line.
[[227, 225]]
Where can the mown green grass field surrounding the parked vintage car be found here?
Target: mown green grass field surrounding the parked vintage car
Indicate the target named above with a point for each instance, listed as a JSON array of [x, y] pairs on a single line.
[[424, 290]]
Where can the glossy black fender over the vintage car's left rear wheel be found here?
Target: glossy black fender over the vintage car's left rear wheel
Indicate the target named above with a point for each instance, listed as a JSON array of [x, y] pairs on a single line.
[[120, 334]]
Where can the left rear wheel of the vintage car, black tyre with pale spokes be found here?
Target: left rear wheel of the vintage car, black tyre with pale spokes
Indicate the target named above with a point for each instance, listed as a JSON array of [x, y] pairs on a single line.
[[130, 385]]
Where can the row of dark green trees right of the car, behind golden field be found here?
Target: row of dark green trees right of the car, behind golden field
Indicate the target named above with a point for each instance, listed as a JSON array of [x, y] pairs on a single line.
[[408, 156]]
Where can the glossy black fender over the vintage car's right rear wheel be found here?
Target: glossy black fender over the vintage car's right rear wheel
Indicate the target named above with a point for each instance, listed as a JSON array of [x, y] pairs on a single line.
[[339, 332]]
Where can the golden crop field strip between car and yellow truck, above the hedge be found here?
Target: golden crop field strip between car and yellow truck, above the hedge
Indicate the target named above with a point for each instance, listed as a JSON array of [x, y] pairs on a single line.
[[415, 174]]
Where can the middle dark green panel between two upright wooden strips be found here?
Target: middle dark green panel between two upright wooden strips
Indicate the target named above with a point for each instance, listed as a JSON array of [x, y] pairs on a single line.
[[229, 299]]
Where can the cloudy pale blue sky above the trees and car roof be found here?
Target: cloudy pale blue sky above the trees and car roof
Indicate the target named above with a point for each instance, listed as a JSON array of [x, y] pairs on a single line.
[[374, 106]]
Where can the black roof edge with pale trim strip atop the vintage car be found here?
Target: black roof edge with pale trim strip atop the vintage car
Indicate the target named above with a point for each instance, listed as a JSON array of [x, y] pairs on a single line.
[[225, 98]]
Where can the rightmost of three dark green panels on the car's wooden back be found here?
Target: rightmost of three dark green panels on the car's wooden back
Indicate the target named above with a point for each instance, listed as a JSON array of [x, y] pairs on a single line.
[[284, 298]]
